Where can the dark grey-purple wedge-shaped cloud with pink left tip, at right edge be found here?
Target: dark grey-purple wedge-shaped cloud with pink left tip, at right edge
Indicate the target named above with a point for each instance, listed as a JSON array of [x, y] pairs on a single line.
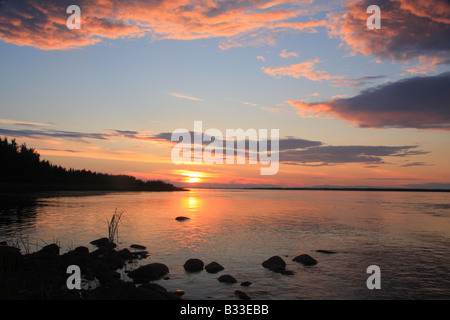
[[418, 102]]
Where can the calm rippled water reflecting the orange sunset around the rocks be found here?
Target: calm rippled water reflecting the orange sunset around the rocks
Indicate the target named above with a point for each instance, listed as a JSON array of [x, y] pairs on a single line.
[[407, 234]]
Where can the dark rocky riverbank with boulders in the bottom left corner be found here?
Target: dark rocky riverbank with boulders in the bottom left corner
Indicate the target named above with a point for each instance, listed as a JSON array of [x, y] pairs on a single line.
[[43, 275]]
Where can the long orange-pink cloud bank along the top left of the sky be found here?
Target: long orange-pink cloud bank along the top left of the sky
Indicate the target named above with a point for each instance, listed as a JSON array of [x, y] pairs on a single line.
[[42, 24]]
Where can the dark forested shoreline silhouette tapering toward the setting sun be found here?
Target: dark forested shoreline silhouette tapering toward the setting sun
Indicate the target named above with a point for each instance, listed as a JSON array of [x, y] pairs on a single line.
[[21, 169]]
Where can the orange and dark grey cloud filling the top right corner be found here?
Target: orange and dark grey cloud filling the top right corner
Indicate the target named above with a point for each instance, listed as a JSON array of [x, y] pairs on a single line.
[[410, 29]]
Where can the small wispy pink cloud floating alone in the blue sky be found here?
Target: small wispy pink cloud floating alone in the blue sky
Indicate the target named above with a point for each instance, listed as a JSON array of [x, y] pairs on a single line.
[[304, 69]]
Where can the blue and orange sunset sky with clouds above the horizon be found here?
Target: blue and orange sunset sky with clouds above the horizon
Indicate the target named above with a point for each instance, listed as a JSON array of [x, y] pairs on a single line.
[[354, 106]]
